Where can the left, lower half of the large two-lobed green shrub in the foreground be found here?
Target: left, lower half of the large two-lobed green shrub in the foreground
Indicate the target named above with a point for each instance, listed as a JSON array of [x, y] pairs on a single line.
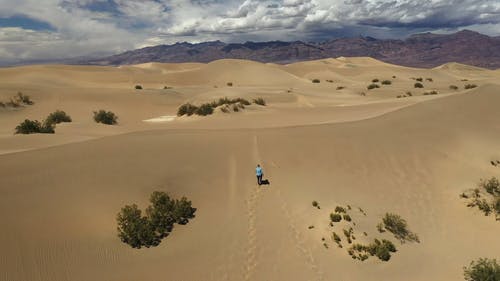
[[135, 229]]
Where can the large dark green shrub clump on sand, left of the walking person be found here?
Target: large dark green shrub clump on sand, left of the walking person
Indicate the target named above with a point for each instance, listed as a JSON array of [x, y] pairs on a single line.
[[139, 231]]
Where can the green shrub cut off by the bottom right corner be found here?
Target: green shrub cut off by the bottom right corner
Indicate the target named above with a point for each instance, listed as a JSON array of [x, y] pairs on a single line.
[[483, 269]]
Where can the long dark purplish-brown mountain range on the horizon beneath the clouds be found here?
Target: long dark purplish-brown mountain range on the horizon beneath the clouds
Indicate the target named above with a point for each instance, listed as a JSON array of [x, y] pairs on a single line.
[[419, 50]]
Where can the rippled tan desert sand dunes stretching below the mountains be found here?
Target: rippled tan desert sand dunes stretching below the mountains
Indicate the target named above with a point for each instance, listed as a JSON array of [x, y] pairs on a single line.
[[60, 193]]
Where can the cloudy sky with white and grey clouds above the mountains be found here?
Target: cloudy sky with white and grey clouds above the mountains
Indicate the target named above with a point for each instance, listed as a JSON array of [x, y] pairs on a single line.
[[52, 29]]
